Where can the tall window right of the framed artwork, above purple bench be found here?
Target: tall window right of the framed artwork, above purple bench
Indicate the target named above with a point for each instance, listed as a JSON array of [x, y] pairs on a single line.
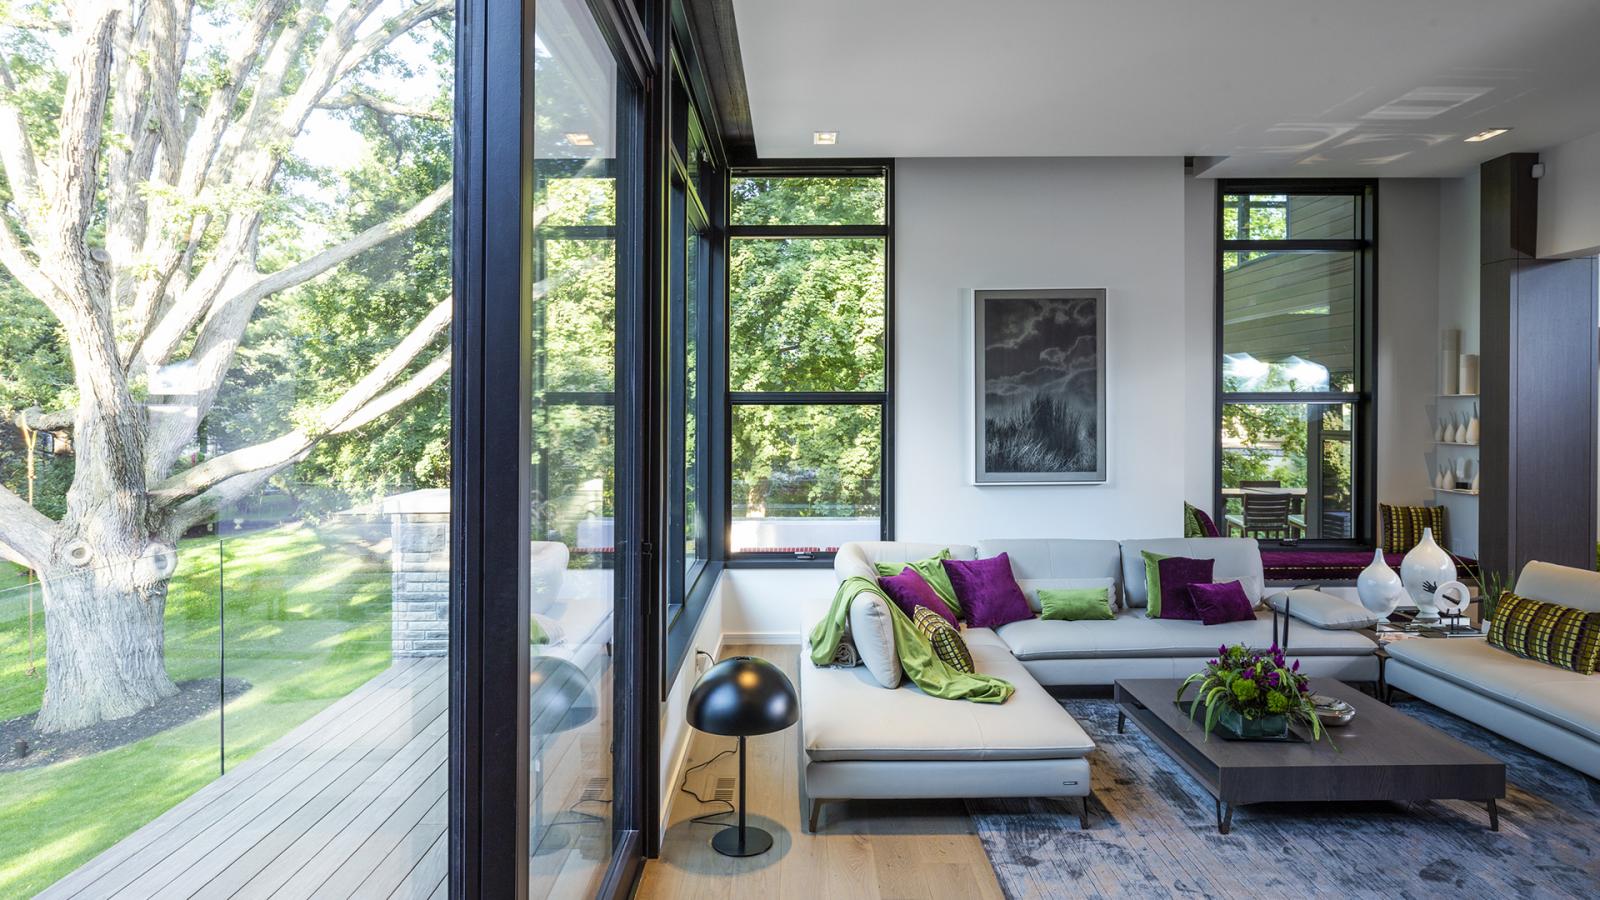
[[1295, 307]]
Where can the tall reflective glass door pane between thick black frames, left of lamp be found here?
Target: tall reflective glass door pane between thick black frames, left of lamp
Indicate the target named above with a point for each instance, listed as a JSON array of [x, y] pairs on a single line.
[[585, 294]]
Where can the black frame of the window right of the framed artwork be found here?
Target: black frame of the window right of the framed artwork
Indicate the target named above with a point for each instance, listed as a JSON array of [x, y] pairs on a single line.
[[1364, 400]]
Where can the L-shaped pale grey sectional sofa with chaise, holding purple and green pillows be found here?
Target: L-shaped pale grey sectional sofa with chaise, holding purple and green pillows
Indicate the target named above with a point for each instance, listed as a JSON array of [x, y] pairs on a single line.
[[868, 742]]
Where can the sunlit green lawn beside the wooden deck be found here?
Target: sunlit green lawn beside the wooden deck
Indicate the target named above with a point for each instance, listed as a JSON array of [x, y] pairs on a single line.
[[306, 622]]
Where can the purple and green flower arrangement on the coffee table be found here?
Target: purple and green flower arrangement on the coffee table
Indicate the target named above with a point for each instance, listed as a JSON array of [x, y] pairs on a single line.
[[1252, 694]]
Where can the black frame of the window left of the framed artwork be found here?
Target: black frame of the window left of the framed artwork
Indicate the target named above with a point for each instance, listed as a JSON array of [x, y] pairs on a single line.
[[882, 400]]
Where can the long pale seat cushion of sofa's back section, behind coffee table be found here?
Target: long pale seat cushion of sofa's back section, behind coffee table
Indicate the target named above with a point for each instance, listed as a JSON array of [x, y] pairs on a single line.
[[1134, 635]]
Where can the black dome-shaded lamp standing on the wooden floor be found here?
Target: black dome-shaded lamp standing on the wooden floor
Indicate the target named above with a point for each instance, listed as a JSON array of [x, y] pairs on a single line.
[[743, 697]]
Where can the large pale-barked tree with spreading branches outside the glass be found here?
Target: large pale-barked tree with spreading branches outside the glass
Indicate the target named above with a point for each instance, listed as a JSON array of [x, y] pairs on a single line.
[[135, 206]]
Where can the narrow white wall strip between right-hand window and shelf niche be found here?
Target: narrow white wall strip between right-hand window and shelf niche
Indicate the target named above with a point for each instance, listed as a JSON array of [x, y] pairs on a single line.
[[1409, 236]]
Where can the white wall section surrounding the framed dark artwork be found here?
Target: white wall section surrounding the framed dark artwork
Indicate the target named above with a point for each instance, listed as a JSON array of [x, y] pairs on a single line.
[[1039, 223]]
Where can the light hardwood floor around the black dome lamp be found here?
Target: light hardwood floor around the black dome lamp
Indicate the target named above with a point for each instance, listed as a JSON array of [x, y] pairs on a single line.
[[863, 850]]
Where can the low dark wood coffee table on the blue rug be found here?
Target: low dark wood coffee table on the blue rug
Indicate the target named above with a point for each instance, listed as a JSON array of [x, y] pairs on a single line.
[[1383, 755]]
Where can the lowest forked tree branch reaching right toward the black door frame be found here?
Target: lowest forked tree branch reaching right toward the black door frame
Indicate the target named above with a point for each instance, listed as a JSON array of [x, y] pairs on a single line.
[[361, 404]]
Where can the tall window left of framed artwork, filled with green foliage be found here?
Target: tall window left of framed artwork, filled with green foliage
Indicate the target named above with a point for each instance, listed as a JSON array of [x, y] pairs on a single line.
[[809, 371]]
